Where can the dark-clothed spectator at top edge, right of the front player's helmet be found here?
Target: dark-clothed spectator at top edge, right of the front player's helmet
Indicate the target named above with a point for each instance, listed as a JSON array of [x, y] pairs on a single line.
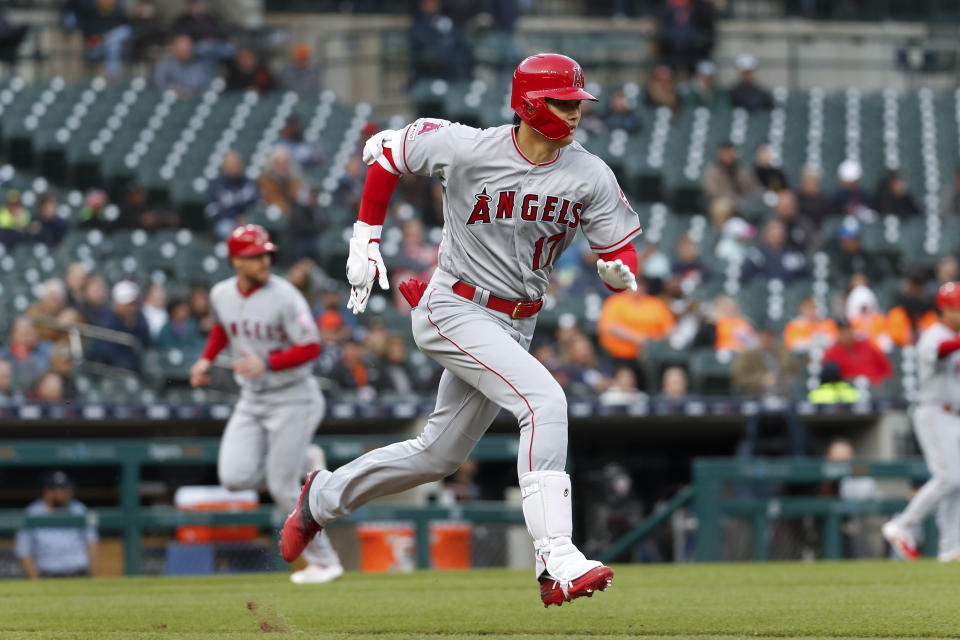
[[685, 33]]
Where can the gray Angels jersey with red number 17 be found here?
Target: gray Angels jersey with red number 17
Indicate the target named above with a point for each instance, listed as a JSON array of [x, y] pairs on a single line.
[[506, 219]]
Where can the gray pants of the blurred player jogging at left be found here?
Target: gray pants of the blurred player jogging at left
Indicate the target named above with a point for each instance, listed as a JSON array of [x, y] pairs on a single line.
[[264, 445]]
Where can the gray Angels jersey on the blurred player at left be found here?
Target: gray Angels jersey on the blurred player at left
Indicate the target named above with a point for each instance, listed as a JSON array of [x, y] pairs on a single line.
[[272, 318]]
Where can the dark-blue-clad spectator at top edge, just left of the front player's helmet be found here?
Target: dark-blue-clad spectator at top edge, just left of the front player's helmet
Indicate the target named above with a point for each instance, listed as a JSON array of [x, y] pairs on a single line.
[[439, 48]]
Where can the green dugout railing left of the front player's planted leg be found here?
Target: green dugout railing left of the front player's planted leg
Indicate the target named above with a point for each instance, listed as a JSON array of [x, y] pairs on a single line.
[[131, 519]]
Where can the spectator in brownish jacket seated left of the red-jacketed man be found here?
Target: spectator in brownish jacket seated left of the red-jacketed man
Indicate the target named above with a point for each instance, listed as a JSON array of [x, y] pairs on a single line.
[[765, 369]]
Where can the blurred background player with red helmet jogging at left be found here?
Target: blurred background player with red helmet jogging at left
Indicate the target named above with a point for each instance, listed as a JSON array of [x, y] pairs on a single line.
[[268, 324]]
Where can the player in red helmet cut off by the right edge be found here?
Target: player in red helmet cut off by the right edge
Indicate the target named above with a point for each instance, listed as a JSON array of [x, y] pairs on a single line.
[[937, 422]]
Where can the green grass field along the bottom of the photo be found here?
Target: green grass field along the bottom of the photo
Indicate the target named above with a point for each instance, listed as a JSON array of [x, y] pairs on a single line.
[[841, 599]]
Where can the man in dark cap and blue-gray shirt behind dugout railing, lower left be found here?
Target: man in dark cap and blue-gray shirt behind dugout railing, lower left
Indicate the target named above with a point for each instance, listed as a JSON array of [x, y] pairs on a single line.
[[57, 552]]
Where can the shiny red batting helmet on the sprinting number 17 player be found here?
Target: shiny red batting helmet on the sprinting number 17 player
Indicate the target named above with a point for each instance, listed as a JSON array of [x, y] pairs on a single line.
[[546, 75]]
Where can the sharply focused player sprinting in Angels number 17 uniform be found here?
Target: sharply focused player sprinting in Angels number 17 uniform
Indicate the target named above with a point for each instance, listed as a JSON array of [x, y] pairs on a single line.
[[513, 199]]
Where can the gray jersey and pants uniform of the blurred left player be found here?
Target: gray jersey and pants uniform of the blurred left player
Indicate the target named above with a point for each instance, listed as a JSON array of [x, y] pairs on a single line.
[[266, 438]]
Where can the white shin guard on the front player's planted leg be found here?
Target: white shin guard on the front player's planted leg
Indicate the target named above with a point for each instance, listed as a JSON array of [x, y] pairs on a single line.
[[547, 508]]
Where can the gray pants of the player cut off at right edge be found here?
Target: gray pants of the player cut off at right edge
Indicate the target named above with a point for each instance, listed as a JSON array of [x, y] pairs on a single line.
[[938, 432]]
